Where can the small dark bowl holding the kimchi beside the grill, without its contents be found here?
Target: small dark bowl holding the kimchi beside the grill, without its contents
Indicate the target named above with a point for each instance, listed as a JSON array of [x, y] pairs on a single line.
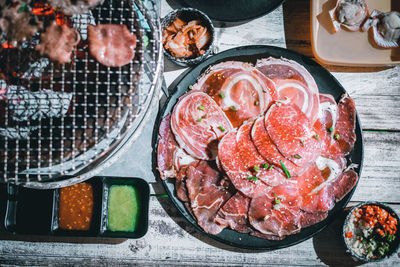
[[188, 14]]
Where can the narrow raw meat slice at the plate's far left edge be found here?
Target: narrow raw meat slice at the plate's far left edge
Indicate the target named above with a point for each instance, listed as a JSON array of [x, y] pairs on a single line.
[[170, 157]]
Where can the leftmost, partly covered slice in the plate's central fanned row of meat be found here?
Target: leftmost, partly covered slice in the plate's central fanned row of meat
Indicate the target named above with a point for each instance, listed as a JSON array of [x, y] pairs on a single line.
[[231, 161]]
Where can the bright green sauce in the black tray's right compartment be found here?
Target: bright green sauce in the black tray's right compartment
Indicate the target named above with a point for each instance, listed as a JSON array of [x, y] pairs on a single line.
[[123, 206]]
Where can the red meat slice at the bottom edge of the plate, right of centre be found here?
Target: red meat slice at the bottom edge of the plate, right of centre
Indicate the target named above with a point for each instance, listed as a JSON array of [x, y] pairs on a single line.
[[278, 212]]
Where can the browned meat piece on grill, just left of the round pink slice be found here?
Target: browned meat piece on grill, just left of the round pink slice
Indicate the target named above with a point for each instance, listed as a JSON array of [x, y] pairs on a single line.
[[58, 42]]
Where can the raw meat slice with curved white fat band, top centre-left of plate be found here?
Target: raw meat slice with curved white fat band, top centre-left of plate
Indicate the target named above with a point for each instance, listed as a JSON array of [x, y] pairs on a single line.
[[239, 89]]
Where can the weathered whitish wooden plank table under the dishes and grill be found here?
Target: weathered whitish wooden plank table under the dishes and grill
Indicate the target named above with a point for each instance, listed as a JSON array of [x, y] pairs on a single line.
[[172, 240]]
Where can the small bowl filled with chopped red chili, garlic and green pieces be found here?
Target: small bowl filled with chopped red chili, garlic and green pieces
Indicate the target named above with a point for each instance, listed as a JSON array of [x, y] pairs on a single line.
[[370, 232]]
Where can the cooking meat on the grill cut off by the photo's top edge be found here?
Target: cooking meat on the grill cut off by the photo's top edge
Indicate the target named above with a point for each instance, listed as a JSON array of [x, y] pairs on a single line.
[[70, 7]]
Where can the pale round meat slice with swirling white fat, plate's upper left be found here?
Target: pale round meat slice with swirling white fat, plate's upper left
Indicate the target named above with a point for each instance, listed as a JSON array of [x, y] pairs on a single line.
[[198, 122]]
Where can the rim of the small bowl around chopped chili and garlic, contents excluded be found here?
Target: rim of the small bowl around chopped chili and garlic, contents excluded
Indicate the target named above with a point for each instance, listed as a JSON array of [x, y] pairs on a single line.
[[394, 246]]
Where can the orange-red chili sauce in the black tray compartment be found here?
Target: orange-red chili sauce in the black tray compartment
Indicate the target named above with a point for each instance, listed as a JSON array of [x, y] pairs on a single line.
[[76, 207]]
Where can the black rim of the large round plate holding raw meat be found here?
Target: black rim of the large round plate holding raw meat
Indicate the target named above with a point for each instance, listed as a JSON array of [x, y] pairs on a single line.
[[224, 56]]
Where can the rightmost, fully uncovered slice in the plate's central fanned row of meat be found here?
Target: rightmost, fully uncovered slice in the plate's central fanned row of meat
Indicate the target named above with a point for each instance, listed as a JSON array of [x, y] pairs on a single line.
[[292, 133]]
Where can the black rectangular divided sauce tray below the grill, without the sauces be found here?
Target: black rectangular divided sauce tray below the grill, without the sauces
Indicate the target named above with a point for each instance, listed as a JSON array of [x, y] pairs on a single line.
[[30, 211]]
